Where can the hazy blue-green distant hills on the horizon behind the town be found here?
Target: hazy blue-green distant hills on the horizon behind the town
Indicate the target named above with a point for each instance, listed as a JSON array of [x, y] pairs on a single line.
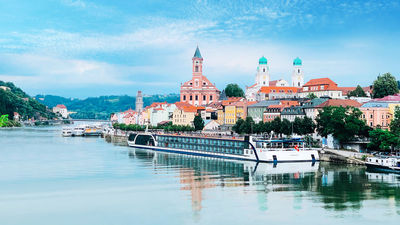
[[101, 107]]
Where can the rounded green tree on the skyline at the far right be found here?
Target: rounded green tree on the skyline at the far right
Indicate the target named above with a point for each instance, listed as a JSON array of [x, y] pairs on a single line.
[[385, 85]]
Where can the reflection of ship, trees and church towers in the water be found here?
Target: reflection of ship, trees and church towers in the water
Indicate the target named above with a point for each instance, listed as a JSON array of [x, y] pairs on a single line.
[[338, 187]]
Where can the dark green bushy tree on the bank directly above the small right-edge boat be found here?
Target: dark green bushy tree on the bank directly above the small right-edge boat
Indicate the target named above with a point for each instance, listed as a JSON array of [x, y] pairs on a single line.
[[382, 140]]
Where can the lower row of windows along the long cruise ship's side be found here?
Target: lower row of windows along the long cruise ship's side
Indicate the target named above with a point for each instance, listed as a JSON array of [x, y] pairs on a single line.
[[216, 149]]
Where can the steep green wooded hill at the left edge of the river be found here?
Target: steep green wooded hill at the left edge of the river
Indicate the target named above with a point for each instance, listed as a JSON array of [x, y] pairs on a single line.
[[13, 99]]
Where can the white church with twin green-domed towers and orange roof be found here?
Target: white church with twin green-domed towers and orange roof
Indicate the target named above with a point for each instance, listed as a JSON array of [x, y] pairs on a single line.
[[263, 81]]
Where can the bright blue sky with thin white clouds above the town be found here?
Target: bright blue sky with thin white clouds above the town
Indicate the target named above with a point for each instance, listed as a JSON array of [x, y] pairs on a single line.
[[82, 48]]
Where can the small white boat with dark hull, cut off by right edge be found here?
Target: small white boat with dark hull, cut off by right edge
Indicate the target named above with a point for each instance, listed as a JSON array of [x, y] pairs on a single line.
[[384, 164]]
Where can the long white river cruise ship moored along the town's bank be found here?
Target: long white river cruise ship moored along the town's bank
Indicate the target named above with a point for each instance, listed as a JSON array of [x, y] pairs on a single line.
[[249, 148]]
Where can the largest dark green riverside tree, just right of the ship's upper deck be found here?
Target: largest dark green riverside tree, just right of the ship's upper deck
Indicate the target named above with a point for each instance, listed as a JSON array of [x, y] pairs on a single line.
[[342, 123]]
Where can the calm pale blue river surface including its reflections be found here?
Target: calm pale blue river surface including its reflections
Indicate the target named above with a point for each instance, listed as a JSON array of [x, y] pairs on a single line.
[[48, 179]]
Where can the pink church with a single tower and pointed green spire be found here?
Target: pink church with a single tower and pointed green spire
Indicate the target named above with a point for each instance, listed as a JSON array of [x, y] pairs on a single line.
[[199, 90]]
